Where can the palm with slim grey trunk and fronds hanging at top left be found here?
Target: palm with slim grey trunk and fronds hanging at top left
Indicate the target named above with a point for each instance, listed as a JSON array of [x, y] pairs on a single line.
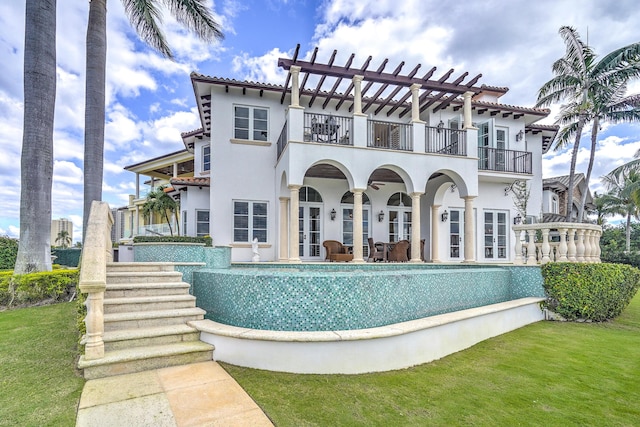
[[145, 16]]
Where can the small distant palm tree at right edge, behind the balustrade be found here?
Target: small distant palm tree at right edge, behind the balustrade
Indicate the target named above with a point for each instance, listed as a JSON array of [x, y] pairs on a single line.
[[623, 198]]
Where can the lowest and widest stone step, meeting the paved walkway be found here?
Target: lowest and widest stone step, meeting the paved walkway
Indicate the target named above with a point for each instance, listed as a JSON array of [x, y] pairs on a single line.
[[139, 359]]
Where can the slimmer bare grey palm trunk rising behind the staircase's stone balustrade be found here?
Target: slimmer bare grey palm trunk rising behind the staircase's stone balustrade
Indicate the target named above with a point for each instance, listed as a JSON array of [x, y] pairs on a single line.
[[94, 115]]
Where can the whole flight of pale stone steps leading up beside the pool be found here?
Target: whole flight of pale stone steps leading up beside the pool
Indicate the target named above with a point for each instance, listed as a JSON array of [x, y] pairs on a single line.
[[146, 310]]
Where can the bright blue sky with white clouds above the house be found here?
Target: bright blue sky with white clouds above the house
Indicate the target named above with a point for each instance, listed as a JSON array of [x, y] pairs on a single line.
[[150, 99]]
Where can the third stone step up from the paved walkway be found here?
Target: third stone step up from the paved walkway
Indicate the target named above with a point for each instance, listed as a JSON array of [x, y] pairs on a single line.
[[146, 319]]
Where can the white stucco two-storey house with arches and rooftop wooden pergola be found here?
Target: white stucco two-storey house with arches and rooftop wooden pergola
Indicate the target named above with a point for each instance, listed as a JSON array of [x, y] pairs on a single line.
[[342, 152]]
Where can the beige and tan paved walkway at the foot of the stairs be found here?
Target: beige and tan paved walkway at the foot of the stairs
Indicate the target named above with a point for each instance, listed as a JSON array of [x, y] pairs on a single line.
[[200, 394]]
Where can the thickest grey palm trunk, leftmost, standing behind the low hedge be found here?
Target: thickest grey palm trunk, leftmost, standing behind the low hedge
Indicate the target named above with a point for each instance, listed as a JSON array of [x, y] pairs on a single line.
[[34, 249]]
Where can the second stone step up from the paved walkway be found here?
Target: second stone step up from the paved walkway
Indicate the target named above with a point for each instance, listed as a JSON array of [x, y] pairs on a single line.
[[159, 335]]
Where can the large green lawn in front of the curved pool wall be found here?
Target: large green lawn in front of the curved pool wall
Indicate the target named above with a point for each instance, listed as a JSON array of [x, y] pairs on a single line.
[[548, 373]]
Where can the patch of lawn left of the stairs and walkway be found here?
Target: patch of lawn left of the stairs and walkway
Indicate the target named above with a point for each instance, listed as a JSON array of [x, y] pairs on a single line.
[[38, 383]]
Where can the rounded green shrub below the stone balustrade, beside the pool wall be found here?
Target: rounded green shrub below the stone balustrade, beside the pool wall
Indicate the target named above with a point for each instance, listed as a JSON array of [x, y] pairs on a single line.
[[589, 291]]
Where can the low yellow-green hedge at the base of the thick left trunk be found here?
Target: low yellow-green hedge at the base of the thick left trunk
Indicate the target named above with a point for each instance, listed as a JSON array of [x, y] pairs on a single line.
[[48, 286]]
